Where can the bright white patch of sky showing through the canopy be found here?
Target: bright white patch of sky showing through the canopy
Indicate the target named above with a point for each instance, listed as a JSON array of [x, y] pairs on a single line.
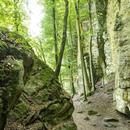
[[35, 13]]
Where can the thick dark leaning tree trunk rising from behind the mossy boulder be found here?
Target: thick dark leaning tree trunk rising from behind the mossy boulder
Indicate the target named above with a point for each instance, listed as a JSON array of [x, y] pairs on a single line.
[[58, 67]]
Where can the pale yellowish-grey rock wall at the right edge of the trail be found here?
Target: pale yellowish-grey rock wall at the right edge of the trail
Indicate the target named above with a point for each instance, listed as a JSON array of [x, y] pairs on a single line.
[[118, 23]]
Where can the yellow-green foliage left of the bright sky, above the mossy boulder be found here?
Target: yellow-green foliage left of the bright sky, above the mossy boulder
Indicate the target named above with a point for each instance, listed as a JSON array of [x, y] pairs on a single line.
[[12, 15]]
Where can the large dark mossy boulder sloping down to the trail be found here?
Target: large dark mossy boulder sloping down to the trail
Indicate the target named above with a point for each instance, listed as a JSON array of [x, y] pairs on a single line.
[[30, 96]]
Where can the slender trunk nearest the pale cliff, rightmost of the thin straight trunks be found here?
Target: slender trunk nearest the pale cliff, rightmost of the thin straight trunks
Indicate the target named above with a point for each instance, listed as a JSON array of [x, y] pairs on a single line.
[[90, 48]]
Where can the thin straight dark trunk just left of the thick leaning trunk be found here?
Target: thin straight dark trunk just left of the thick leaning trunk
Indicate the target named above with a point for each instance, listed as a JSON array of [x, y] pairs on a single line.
[[55, 32]]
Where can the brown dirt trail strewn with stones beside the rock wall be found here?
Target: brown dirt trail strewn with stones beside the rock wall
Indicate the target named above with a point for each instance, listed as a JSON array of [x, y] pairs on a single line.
[[98, 113]]
